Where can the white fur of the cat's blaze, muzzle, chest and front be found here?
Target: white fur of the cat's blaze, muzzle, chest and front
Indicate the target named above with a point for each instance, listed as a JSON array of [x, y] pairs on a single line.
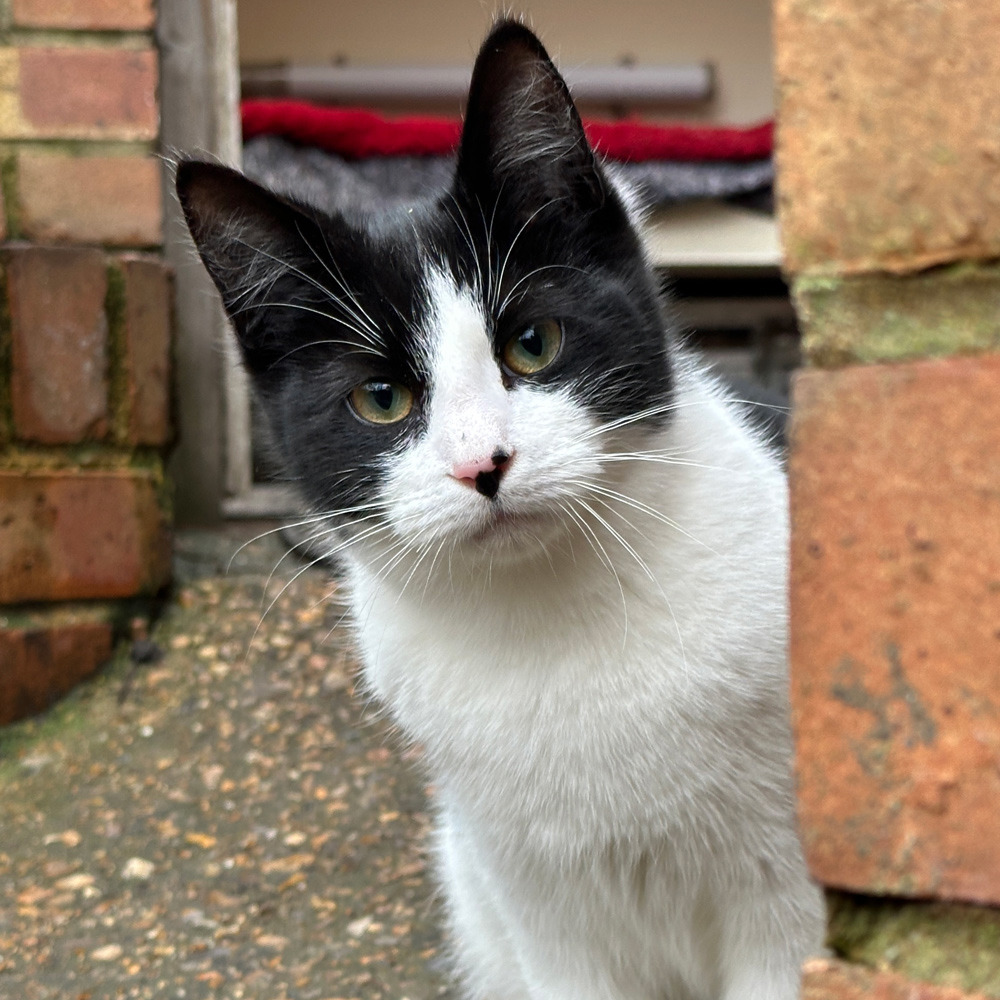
[[607, 729]]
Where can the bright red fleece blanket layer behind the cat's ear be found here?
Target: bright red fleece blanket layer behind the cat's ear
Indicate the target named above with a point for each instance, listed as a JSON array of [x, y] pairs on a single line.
[[356, 133]]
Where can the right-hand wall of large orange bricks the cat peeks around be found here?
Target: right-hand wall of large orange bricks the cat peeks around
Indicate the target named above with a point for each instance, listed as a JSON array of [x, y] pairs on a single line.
[[889, 160]]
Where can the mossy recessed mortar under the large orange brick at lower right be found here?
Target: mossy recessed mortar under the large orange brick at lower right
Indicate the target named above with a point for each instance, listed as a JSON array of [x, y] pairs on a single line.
[[949, 944]]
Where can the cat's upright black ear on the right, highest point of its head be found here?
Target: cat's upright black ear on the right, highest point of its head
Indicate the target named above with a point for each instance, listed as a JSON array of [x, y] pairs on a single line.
[[522, 133]]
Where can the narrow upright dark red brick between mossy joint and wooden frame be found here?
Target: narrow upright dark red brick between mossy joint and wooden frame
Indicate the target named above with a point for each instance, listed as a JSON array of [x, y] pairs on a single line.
[[147, 349]]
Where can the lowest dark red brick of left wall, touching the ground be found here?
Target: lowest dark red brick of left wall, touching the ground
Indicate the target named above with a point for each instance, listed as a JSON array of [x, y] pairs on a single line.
[[42, 663]]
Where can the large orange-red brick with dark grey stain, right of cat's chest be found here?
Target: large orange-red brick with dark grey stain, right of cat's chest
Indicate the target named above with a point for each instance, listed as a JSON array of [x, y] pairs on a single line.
[[895, 641]]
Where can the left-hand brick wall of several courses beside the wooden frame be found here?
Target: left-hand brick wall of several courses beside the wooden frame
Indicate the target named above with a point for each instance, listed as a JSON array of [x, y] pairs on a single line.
[[85, 340]]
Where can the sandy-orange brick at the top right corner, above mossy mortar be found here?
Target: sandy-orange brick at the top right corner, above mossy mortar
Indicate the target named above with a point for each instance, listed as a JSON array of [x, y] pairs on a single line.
[[889, 138]]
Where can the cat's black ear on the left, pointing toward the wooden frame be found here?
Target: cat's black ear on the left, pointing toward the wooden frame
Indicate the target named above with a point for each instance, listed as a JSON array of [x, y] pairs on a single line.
[[257, 247]]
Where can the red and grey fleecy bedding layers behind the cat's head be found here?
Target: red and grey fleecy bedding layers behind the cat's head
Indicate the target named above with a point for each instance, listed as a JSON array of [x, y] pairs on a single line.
[[340, 158]]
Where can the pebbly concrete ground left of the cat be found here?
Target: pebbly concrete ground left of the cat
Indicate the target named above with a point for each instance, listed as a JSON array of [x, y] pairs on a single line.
[[228, 821]]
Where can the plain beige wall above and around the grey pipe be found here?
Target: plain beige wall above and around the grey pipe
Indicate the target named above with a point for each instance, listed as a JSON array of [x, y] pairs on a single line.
[[733, 35]]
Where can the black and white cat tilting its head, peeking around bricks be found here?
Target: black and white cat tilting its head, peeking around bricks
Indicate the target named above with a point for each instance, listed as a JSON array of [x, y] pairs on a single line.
[[563, 544]]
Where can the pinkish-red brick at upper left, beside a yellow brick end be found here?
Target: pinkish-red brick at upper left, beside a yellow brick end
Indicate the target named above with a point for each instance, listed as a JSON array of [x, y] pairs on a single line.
[[89, 93]]
